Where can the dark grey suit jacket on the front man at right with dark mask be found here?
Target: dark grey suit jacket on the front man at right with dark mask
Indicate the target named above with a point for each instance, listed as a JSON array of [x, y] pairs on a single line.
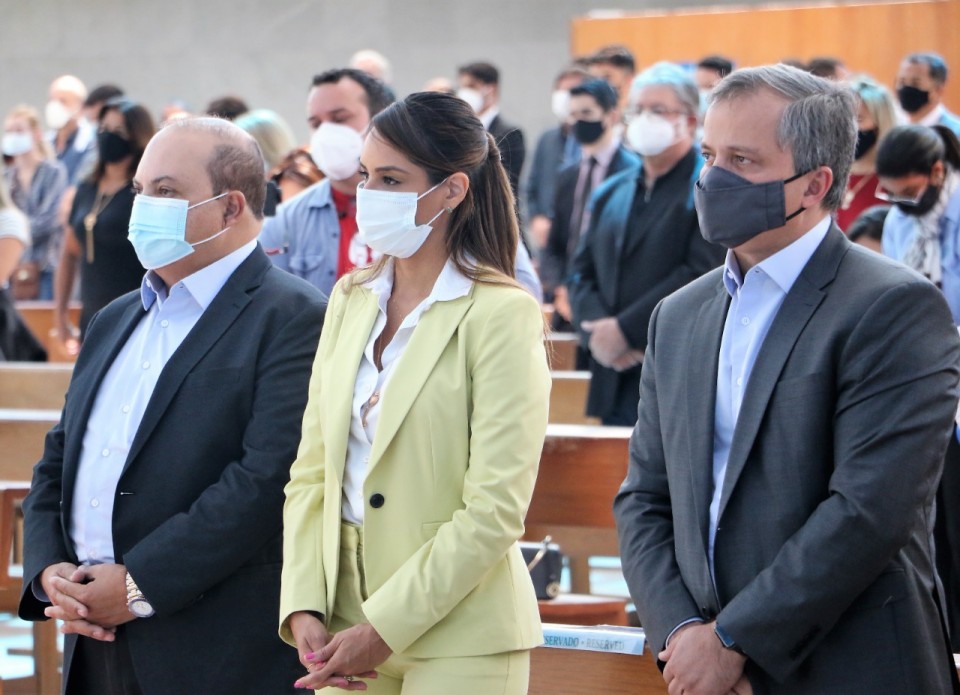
[[823, 552]]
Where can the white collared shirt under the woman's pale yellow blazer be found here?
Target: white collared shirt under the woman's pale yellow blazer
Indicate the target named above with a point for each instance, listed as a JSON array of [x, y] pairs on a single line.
[[450, 285]]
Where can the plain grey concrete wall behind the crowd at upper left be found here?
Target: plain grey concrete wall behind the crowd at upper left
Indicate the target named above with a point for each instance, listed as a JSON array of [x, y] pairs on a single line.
[[267, 50]]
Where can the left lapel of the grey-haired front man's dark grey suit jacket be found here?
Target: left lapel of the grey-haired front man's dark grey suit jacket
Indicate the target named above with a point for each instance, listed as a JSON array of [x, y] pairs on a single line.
[[701, 391]]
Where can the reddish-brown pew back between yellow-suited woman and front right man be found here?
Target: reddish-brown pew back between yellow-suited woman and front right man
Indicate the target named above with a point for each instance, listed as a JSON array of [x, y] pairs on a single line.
[[581, 469]]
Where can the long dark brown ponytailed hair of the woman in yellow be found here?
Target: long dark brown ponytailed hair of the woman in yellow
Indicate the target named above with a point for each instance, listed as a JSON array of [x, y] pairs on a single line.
[[441, 134]]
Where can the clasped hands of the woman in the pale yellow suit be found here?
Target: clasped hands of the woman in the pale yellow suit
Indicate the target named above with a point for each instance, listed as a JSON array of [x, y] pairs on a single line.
[[351, 654]]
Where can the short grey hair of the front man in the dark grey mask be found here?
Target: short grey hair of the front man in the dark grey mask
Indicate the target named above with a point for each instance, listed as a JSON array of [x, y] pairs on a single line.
[[819, 125]]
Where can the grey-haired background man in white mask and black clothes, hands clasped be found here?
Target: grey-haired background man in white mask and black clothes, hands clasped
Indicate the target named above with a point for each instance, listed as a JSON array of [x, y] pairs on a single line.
[[642, 242]]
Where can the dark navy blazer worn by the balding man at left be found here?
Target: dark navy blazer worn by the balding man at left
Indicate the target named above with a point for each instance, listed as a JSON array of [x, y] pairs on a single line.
[[198, 521]]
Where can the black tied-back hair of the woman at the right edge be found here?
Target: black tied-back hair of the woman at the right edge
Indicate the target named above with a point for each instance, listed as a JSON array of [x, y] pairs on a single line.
[[914, 149]]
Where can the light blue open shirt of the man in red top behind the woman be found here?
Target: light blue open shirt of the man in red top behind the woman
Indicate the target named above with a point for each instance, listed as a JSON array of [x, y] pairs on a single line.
[[304, 239]]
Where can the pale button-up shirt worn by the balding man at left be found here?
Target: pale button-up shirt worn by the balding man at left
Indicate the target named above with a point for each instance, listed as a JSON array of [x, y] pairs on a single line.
[[125, 392]]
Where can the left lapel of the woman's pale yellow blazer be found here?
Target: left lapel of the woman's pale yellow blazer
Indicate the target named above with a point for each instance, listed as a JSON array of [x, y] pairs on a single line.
[[359, 314]]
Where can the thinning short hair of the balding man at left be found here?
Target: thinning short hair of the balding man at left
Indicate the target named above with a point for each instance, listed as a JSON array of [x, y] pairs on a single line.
[[236, 163]]
